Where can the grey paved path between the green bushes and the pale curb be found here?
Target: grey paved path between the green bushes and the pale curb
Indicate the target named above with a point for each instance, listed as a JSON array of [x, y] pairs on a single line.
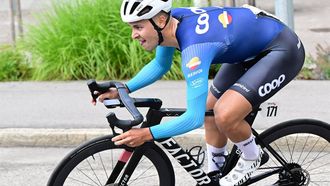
[[67, 104]]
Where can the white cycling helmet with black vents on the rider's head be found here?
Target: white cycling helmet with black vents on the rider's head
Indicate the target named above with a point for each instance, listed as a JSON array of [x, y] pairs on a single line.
[[136, 10]]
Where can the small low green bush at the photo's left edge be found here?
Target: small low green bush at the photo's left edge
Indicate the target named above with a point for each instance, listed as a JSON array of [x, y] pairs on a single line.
[[12, 67]]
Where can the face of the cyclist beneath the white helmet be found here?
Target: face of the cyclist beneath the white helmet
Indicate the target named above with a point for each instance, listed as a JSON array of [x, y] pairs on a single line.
[[145, 33]]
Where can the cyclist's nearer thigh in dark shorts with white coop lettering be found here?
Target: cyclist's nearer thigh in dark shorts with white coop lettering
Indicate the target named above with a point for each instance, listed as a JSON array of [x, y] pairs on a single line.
[[273, 71]]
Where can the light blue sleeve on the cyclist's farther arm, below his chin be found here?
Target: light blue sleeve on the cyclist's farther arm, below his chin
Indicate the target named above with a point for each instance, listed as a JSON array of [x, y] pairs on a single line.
[[154, 70]]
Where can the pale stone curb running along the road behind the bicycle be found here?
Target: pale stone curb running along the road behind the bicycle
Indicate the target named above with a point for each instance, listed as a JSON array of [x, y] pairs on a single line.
[[28, 137]]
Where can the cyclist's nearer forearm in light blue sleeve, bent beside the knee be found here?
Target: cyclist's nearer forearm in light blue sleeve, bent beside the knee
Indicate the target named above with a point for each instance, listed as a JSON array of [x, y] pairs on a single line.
[[192, 119]]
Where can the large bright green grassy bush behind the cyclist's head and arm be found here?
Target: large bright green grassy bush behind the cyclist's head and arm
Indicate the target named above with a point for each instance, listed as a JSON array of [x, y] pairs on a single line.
[[84, 39]]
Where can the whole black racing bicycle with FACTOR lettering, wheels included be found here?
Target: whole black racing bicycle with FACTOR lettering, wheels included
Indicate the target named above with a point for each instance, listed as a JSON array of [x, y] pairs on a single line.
[[297, 151]]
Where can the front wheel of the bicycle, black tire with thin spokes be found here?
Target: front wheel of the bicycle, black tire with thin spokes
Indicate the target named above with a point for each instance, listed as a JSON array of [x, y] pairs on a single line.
[[74, 164]]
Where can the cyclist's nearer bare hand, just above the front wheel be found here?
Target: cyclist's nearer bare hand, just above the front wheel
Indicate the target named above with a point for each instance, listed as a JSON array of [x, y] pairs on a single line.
[[134, 137]]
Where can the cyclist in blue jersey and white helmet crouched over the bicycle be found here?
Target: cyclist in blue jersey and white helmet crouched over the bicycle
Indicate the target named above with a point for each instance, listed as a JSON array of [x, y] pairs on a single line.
[[259, 56]]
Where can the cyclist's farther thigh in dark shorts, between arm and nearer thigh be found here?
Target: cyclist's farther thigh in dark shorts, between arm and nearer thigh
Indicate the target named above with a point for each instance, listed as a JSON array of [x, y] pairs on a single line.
[[225, 78]]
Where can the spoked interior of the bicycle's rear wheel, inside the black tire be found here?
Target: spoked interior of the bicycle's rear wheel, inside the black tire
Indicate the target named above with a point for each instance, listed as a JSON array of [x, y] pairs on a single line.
[[308, 152]]
